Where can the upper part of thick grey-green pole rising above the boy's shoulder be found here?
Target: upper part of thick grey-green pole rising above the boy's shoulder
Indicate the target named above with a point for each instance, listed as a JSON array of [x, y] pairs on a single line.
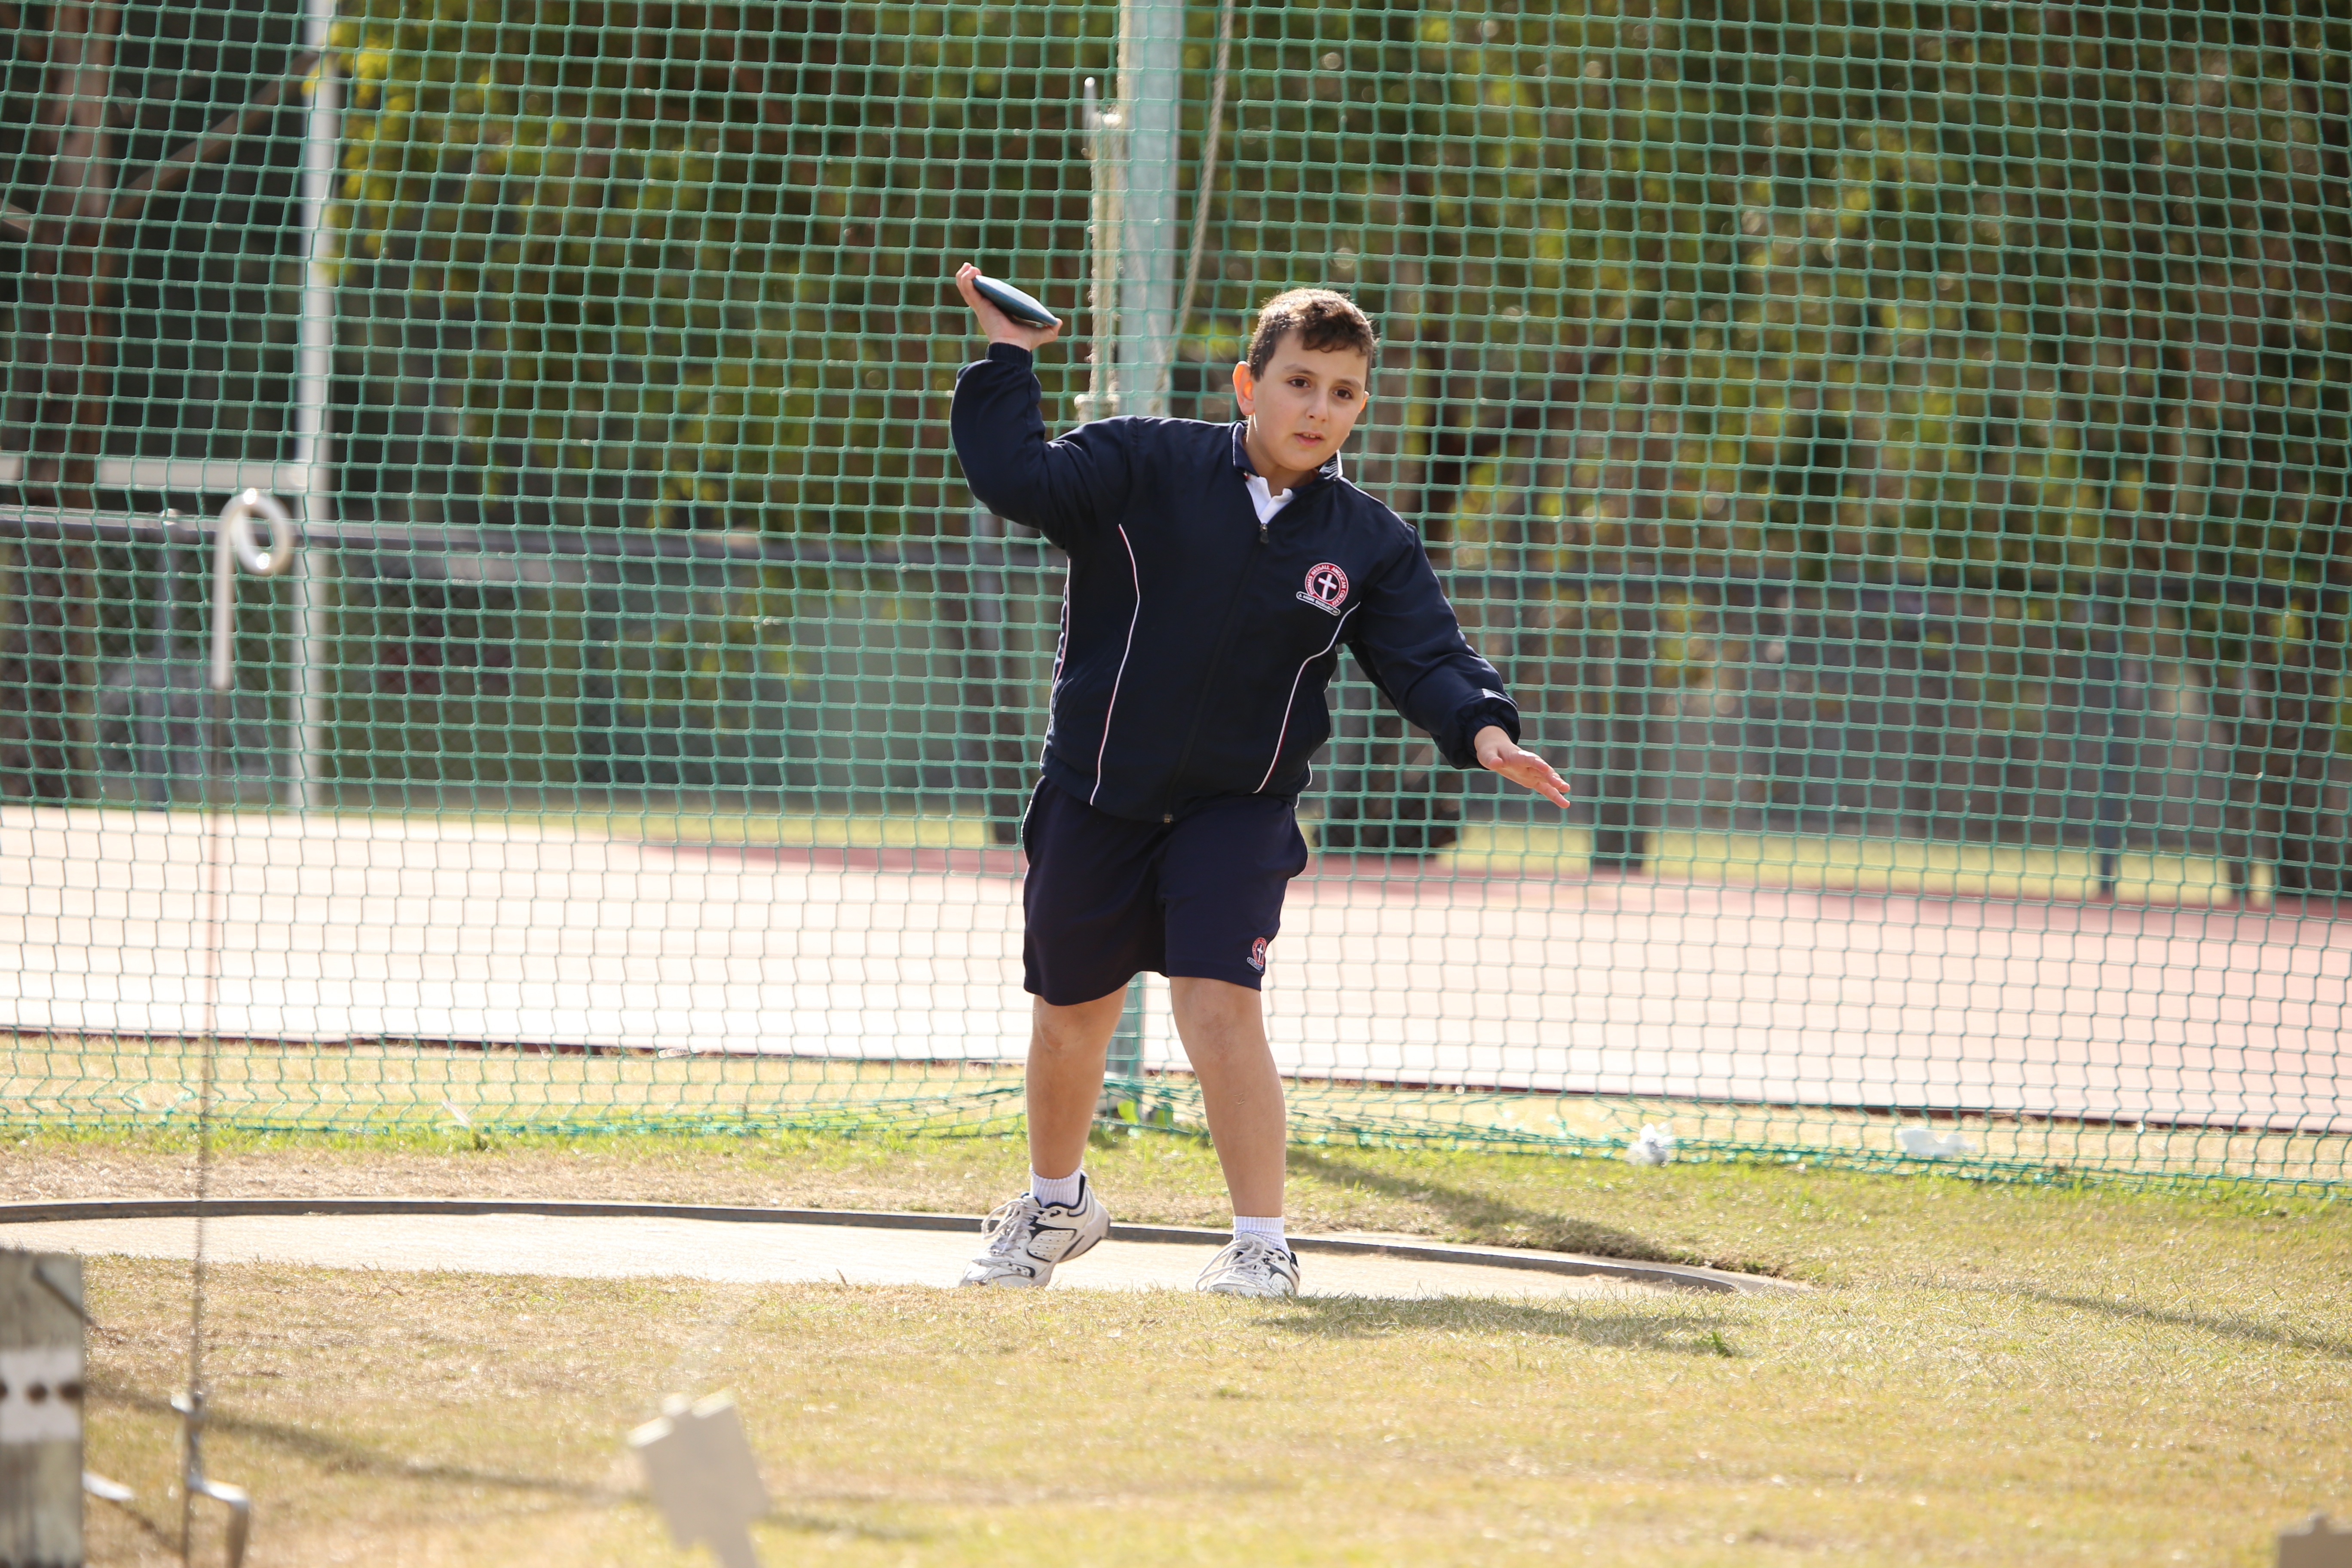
[[1151, 93]]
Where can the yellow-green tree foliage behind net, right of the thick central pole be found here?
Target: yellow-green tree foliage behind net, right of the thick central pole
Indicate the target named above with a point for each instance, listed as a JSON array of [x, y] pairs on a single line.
[[1991, 288]]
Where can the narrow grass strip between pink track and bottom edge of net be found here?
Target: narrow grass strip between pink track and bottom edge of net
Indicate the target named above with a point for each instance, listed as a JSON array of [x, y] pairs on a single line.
[[145, 1085]]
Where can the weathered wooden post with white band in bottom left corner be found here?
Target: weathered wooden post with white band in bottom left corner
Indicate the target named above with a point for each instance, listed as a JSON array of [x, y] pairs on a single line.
[[41, 1409]]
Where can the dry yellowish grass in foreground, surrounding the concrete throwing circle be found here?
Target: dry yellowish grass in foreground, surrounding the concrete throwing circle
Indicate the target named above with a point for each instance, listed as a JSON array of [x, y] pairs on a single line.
[[1991, 1374]]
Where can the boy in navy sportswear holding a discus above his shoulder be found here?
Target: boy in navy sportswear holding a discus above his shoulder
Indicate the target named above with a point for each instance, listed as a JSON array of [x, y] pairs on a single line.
[[1215, 575]]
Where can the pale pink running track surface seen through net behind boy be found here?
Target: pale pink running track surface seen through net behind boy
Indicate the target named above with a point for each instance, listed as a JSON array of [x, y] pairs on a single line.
[[417, 930]]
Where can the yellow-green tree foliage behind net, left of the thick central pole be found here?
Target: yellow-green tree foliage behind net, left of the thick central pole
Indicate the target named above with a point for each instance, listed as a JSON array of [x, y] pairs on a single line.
[[693, 264]]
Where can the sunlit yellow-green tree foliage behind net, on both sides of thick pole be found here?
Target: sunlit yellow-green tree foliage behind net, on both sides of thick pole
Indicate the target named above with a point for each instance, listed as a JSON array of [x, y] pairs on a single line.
[[1989, 288]]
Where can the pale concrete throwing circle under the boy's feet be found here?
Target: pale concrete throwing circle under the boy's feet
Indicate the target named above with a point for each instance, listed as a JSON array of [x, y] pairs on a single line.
[[780, 1247]]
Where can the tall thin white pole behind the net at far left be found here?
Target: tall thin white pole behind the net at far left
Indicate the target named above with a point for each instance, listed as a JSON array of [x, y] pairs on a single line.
[[314, 384]]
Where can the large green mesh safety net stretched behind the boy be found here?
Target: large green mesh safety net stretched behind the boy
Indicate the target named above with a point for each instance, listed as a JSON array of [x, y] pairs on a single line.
[[1897, 453]]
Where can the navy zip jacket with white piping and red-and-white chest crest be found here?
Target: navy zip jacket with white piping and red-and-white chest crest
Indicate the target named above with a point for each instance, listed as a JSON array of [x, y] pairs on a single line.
[[1196, 645]]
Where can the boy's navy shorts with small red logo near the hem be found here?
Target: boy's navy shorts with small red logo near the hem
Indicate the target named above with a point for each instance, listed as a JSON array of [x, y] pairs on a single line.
[[1109, 899]]
